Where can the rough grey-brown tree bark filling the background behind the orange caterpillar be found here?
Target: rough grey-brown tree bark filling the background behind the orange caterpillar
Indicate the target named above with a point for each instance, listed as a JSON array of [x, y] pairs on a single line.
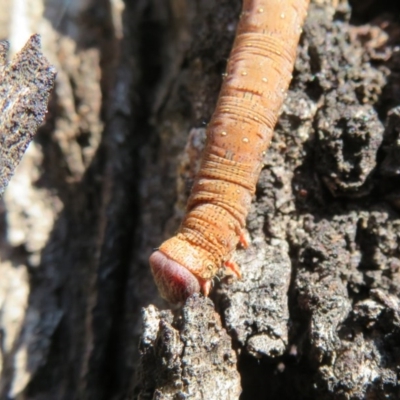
[[317, 314]]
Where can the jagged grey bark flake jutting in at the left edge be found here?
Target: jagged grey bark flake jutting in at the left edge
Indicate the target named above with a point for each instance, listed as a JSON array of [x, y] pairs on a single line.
[[25, 85]]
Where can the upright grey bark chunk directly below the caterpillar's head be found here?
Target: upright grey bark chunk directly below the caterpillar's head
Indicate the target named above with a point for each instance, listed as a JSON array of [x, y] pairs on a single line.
[[188, 355]]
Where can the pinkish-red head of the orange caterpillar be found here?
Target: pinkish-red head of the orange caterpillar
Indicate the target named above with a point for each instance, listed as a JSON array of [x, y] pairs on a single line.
[[175, 282]]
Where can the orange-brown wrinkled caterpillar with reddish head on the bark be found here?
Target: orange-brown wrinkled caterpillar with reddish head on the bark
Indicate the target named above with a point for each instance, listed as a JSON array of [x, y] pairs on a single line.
[[257, 77]]
